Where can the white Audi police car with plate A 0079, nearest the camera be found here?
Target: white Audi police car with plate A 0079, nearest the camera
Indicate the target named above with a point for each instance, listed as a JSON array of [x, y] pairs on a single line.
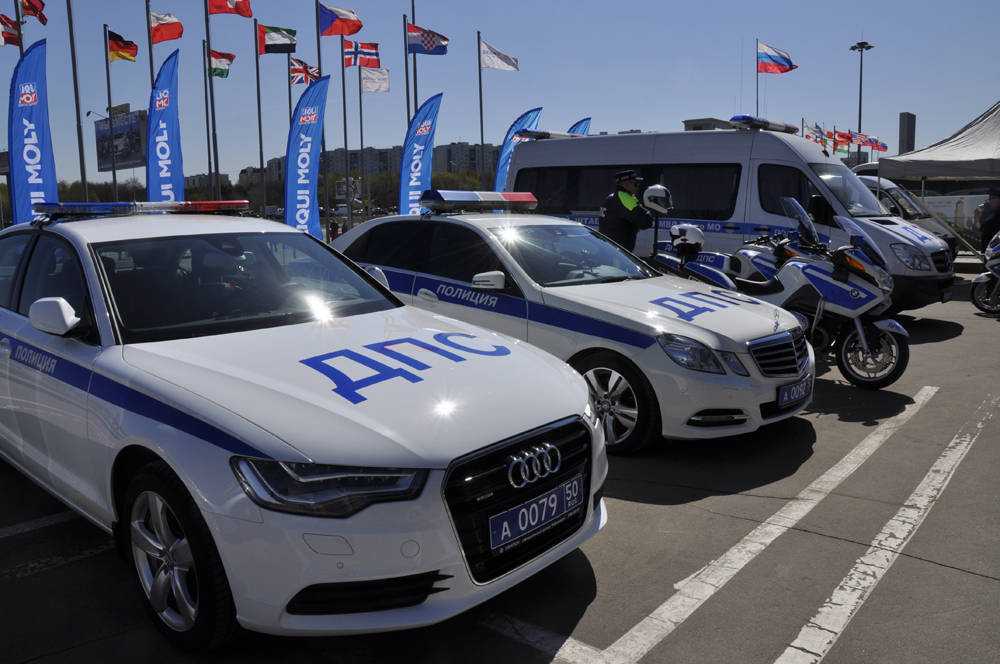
[[273, 437]]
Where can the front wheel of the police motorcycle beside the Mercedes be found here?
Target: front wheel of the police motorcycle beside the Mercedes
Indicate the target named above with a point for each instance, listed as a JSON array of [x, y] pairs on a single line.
[[890, 353]]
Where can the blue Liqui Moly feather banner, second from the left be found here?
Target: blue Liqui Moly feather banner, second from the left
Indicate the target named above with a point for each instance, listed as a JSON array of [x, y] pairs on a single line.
[[164, 163]]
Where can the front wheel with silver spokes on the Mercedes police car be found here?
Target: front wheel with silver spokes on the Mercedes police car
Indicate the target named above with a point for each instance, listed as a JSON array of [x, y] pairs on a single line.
[[604, 372]]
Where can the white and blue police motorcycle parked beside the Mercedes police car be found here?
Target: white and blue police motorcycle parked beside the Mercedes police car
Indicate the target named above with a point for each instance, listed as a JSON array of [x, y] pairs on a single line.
[[839, 295]]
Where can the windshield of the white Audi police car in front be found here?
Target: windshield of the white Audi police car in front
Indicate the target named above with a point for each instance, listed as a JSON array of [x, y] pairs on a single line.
[[197, 285]]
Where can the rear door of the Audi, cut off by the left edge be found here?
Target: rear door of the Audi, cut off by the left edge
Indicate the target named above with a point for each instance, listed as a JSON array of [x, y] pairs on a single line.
[[12, 253]]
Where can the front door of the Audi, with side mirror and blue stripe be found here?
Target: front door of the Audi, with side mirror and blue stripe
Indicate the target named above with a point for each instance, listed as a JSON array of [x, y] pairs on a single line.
[[50, 377]]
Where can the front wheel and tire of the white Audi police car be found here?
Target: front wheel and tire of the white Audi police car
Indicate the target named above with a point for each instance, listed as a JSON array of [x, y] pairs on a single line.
[[195, 572]]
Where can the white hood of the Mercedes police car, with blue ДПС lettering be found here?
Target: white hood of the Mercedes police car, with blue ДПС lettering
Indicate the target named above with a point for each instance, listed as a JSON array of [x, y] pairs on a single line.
[[723, 319]]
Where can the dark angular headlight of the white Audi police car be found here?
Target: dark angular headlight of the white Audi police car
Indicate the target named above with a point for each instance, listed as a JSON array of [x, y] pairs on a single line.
[[323, 490]]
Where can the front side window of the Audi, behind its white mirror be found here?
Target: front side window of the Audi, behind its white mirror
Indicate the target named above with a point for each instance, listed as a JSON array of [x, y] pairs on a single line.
[[54, 271]]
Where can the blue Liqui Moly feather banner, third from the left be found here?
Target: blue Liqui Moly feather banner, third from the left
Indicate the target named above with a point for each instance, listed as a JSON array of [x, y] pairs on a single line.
[[305, 138]]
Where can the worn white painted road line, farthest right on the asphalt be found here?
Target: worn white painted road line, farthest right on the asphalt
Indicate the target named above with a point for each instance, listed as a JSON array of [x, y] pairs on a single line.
[[819, 635]]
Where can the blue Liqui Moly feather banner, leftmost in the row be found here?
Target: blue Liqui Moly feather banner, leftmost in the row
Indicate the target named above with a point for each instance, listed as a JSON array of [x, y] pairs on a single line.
[[32, 165]]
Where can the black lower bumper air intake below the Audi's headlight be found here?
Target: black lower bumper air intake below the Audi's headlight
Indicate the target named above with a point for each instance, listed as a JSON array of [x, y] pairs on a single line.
[[364, 596]]
